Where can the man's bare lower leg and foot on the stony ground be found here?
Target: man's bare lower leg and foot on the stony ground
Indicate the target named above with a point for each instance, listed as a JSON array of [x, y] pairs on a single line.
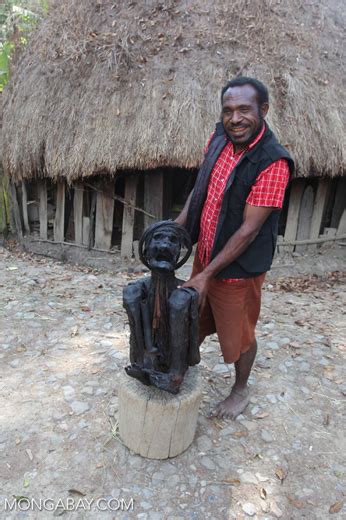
[[239, 397]]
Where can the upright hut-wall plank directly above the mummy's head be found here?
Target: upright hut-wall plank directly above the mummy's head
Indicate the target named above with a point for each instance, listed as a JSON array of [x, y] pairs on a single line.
[[153, 196]]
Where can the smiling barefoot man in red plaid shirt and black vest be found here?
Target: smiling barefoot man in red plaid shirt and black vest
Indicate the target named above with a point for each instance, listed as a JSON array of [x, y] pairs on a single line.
[[233, 211]]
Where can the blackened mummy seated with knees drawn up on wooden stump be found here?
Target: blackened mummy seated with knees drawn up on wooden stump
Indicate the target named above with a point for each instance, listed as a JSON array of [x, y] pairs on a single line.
[[163, 319]]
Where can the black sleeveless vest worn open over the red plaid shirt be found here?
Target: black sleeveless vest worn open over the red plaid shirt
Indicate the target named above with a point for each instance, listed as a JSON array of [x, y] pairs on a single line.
[[257, 258]]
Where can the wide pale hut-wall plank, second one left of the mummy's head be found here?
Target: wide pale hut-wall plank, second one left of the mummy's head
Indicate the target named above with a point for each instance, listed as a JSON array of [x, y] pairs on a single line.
[[104, 216]]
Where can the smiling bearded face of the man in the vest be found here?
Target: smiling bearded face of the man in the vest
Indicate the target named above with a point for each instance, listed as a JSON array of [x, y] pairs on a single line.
[[241, 115]]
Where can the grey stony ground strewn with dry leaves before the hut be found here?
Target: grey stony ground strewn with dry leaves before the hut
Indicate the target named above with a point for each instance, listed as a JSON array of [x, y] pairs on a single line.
[[63, 344]]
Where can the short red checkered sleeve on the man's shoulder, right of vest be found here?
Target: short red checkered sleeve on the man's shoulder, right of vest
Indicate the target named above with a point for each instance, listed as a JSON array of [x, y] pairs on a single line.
[[269, 188]]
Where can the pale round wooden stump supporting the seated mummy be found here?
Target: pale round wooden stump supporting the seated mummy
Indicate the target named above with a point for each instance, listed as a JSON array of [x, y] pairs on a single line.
[[154, 423]]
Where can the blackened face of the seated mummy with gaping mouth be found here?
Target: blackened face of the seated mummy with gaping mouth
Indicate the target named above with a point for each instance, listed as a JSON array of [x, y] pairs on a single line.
[[163, 251]]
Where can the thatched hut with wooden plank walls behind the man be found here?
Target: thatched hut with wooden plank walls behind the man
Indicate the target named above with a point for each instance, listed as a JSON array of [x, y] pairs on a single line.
[[110, 106]]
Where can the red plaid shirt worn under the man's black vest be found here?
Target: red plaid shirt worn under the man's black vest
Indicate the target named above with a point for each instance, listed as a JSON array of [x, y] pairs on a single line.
[[268, 191]]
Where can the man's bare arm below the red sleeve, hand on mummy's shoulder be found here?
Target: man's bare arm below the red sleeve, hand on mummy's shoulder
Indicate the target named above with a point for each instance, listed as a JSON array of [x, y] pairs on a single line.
[[253, 219]]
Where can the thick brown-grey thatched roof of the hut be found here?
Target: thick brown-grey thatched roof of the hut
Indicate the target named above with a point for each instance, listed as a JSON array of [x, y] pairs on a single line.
[[134, 85]]
